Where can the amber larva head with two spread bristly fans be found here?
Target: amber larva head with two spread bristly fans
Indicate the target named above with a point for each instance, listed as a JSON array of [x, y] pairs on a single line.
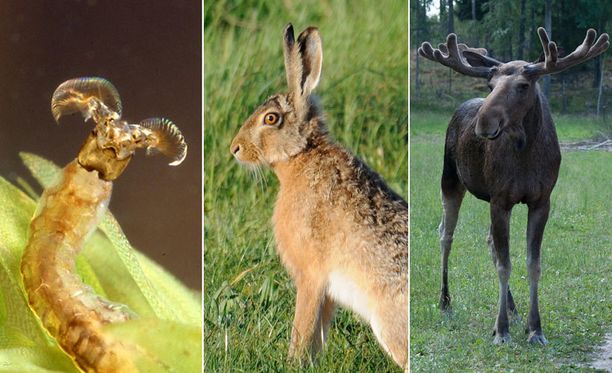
[[113, 141]]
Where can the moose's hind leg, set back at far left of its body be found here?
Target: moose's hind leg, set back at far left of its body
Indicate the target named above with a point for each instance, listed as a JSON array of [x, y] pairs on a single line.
[[452, 192]]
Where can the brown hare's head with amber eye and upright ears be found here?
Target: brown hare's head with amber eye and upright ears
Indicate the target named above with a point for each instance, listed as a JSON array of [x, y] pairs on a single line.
[[281, 126]]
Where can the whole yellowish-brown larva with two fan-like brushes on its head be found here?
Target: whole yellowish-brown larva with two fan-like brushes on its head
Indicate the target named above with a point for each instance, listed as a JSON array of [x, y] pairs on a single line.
[[69, 211]]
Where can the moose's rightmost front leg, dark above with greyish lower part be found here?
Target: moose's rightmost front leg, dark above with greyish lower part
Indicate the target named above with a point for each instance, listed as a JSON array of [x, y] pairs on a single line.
[[536, 221]]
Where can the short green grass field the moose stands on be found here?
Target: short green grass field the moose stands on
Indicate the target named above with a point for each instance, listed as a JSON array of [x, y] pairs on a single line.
[[575, 289]]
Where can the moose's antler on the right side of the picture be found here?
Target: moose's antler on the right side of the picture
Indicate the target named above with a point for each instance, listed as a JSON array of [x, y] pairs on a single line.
[[585, 51]]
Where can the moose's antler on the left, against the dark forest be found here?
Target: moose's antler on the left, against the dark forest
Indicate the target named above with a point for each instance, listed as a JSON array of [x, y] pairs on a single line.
[[451, 54]]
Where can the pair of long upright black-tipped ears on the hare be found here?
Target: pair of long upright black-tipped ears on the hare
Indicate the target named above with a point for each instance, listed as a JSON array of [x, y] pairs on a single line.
[[303, 61]]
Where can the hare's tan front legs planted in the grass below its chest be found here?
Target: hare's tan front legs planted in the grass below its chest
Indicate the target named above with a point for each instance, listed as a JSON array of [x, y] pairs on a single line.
[[313, 314]]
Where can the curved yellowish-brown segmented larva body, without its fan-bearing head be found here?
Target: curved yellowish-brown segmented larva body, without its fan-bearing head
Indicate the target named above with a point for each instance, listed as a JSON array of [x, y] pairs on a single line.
[[67, 214]]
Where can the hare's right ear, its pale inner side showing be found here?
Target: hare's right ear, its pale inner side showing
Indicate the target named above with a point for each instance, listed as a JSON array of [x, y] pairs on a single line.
[[311, 56]]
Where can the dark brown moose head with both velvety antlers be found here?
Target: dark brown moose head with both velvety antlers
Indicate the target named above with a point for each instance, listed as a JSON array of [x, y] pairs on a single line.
[[512, 84]]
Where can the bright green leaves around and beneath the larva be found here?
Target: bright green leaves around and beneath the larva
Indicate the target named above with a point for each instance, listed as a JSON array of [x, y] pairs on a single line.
[[168, 310]]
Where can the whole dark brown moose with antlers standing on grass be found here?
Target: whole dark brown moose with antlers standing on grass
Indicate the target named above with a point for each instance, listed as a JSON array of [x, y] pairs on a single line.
[[504, 150]]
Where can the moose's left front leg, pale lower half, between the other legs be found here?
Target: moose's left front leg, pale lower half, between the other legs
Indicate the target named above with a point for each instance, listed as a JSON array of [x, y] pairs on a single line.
[[500, 227]]
